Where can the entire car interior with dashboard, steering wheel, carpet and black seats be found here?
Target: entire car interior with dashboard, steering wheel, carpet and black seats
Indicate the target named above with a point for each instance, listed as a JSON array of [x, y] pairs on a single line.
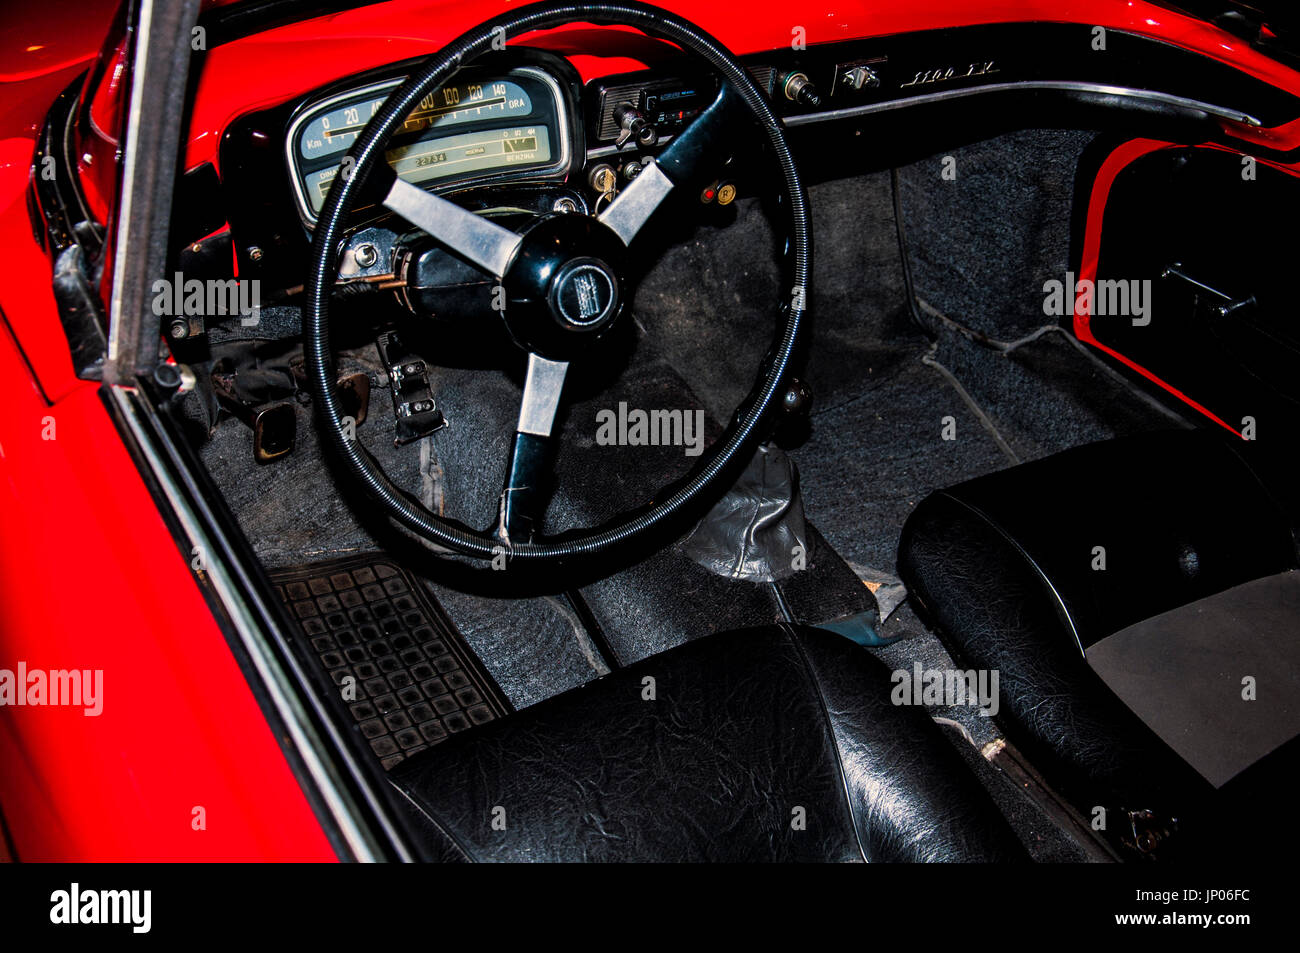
[[707, 457]]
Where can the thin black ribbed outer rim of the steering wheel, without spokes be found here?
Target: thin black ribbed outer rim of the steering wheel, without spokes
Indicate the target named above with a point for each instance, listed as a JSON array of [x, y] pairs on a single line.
[[367, 153]]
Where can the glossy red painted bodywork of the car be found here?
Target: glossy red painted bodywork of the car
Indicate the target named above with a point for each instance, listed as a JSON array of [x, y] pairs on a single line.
[[90, 573]]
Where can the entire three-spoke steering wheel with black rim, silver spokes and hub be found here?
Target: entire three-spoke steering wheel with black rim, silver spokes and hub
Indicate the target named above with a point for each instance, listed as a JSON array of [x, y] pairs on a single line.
[[565, 287]]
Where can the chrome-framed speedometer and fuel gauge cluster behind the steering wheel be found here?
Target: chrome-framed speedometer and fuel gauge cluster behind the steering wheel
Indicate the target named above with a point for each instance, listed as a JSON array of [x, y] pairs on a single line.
[[484, 125]]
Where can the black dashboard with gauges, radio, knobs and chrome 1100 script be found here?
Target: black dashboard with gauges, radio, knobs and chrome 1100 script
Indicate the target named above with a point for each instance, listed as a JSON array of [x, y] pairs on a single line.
[[521, 131]]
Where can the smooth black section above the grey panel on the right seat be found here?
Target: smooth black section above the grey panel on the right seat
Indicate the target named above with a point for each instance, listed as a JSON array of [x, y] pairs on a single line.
[[1125, 530]]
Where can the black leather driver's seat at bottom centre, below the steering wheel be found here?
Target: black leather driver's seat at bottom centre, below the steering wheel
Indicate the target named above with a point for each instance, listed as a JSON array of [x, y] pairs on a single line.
[[766, 744]]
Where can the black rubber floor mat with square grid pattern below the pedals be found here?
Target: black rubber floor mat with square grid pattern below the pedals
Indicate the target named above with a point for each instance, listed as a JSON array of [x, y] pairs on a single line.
[[406, 679]]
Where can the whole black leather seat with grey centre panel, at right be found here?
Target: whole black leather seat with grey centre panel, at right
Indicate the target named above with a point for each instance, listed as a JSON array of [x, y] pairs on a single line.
[[1124, 591]]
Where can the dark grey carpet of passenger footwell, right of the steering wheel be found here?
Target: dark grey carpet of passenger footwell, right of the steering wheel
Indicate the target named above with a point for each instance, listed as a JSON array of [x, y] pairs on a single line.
[[981, 249]]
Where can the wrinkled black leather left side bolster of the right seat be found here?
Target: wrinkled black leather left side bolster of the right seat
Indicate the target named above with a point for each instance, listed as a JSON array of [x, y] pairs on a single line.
[[993, 612]]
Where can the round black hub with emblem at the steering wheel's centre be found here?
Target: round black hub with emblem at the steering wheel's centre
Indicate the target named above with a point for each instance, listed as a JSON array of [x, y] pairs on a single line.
[[565, 288]]
